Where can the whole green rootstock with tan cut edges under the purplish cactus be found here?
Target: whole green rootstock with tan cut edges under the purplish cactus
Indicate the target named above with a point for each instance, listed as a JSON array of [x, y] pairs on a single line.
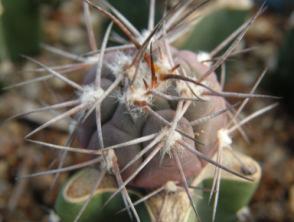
[[172, 204]]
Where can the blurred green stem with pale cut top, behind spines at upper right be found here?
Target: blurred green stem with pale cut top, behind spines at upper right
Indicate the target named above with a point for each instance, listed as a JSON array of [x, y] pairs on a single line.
[[216, 25]]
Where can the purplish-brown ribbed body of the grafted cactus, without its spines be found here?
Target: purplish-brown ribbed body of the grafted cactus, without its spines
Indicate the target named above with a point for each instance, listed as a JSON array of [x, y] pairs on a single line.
[[120, 126]]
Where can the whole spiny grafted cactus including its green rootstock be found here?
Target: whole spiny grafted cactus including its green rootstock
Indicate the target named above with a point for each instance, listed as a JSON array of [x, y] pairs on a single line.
[[156, 125]]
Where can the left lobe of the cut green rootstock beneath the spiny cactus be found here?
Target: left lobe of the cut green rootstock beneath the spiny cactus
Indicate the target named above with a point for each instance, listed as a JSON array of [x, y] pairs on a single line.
[[77, 190]]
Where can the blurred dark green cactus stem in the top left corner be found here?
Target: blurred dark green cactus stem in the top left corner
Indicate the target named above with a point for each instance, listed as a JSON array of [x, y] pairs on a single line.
[[20, 32]]
